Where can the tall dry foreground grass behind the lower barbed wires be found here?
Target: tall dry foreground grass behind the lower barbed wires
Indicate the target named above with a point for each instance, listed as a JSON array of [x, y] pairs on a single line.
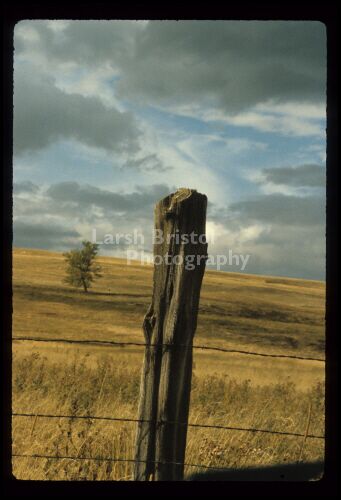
[[109, 386]]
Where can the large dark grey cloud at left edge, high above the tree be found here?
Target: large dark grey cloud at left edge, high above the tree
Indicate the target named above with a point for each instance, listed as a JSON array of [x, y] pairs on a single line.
[[44, 114]]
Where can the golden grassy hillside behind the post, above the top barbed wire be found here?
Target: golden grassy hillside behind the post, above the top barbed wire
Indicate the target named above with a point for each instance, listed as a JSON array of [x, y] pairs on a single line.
[[271, 313]]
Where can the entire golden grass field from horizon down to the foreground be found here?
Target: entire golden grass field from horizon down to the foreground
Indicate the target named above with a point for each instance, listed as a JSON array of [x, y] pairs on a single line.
[[238, 311]]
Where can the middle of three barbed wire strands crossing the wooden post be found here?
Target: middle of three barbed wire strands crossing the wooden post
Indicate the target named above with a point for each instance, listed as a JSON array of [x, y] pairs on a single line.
[[204, 426]]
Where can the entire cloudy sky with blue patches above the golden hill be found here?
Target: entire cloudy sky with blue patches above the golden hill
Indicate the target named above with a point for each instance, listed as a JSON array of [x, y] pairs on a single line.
[[110, 116]]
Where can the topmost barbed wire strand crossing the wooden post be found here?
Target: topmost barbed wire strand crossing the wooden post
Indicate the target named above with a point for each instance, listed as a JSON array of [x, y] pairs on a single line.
[[115, 343]]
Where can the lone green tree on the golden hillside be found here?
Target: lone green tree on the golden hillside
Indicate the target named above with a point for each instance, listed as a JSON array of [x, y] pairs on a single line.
[[81, 267]]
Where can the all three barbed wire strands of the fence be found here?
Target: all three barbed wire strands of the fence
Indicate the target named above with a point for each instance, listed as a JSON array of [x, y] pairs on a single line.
[[113, 343]]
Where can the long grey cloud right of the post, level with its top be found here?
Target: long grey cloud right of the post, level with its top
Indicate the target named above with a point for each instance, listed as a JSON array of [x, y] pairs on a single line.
[[280, 209]]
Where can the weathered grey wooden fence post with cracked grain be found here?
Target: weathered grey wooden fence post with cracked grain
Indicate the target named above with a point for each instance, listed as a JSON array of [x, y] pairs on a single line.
[[180, 255]]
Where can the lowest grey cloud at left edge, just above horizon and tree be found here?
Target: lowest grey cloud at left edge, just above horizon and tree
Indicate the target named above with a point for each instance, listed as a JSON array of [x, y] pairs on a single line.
[[43, 235]]
